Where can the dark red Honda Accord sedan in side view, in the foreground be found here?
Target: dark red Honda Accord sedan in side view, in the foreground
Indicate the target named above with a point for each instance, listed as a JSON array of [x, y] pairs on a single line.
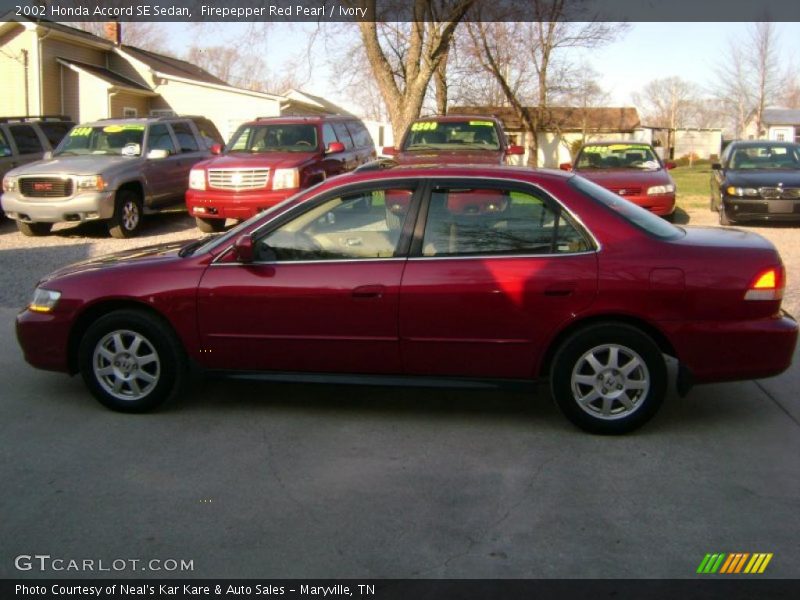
[[493, 273]]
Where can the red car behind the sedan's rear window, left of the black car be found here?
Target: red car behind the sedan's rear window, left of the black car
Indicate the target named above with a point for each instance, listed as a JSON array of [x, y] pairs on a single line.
[[630, 169]]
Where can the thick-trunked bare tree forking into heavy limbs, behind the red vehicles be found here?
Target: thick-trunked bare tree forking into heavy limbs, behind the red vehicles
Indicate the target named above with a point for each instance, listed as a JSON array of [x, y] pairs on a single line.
[[404, 59]]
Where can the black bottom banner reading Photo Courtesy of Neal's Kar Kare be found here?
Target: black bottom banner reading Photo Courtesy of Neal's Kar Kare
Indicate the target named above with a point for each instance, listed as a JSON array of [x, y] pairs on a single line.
[[732, 588]]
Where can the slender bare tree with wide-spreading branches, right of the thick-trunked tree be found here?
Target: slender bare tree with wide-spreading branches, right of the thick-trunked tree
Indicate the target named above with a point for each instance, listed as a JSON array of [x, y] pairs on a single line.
[[544, 41]]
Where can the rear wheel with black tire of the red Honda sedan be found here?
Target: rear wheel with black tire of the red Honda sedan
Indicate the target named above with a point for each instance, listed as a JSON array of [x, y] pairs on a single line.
[[614, 402]]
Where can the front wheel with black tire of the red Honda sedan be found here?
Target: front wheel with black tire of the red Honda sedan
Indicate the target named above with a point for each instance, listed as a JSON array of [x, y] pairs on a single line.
[[103, 348]]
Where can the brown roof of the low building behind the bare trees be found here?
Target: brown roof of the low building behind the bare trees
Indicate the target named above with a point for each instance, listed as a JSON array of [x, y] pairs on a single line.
[[564, 118]]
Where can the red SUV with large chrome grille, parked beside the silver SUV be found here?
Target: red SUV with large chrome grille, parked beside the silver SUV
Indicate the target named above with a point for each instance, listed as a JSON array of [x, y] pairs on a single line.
[[269, 160]]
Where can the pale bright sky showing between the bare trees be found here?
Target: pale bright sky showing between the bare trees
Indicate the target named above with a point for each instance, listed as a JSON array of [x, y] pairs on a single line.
[[647, 51]]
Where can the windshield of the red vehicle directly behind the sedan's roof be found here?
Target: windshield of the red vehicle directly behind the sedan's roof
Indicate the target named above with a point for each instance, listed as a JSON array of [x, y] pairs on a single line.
[[452, 135]]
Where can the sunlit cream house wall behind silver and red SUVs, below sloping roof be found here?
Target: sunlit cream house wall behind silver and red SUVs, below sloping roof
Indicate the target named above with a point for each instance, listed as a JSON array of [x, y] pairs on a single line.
[[227, 109]]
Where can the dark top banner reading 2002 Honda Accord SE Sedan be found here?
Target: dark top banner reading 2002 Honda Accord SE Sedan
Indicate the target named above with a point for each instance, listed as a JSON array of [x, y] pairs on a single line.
[[236, 11]]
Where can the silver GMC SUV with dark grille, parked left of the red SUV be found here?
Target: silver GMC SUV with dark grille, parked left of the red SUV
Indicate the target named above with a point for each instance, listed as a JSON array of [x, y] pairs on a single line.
[[113, 170]]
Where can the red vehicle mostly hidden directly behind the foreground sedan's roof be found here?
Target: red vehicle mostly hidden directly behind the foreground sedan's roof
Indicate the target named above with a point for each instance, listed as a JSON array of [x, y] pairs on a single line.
[[455, 139]]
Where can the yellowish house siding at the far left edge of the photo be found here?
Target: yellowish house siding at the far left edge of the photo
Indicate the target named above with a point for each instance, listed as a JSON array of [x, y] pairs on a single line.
[[12, 73]]
